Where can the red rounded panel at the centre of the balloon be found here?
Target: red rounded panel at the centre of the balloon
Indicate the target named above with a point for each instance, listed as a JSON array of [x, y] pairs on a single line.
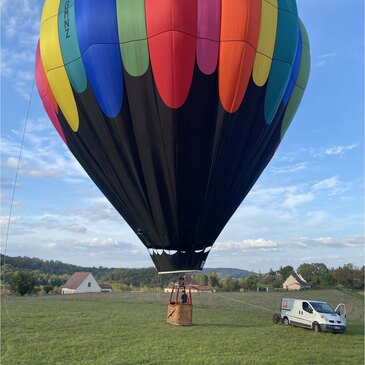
[[171, 31]]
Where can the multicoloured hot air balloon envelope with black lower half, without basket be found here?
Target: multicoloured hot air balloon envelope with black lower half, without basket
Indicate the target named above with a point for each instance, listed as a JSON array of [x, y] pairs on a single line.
[[173, 107]]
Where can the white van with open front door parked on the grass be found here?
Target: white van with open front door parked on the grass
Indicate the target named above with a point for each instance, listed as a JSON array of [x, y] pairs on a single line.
[[313, 314]]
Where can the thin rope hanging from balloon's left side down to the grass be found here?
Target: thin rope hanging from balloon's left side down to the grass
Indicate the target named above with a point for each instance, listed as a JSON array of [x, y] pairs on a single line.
[[12, 200]]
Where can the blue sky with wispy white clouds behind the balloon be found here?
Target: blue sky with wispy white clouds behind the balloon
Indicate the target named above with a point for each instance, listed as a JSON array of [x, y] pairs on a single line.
[[307, 206]]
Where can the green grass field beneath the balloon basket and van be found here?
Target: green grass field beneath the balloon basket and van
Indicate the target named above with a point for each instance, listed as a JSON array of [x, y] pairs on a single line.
[[130, 328]]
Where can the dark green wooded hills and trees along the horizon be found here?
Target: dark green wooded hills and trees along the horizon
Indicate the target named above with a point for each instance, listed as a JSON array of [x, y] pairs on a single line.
[[24, 275]]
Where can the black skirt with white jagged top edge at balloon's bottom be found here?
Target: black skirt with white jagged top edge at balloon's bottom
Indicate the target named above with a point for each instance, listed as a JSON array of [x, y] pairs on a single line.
[[174, 261]]
